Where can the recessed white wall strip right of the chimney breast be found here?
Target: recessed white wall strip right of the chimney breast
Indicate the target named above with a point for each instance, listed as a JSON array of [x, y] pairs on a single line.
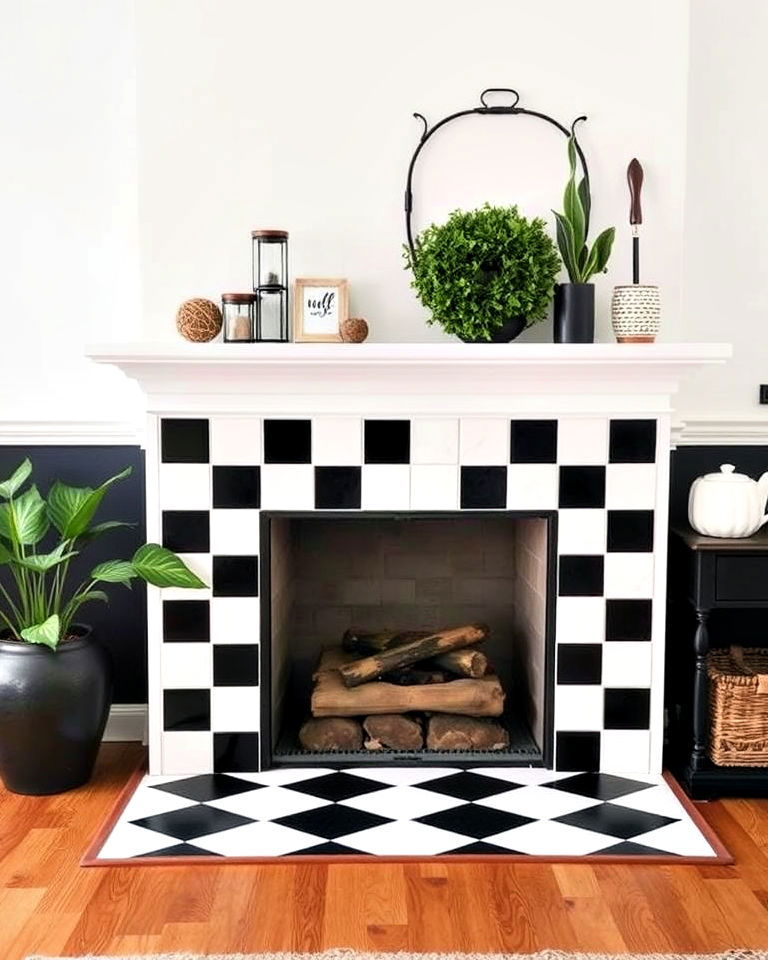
[[726, 209]]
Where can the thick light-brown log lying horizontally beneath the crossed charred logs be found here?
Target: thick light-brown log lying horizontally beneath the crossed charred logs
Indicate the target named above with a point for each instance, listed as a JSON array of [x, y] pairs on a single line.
[[331, 698]]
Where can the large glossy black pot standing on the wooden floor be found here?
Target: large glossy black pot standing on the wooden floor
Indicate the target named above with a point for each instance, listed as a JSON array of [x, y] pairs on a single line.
[[53, 709]]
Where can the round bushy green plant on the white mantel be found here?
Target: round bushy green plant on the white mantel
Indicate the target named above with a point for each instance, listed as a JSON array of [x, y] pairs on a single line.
[[485, 274]]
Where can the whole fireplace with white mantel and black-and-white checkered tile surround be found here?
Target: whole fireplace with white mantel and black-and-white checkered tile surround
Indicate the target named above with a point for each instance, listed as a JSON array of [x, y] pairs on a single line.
[[565, 446]]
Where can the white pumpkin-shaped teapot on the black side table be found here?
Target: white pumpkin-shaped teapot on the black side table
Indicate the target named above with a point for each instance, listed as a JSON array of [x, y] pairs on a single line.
[[727, 504]]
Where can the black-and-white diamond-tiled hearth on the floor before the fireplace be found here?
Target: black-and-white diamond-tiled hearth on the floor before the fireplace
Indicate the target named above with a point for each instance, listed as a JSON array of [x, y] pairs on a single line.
[[403, 812]]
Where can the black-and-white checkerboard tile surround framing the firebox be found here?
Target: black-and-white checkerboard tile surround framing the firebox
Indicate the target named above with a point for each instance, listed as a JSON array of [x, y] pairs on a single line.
[[598, 475]]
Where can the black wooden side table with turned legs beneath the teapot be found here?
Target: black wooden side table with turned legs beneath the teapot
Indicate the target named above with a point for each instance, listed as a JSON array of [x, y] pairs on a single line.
[[706, 574]]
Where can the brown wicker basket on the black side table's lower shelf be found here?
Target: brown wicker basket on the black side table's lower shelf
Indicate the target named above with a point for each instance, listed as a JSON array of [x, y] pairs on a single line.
[[738, 705]]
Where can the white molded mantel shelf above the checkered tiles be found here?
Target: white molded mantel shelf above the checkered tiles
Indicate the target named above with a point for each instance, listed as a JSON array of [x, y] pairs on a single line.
[[224, 377]]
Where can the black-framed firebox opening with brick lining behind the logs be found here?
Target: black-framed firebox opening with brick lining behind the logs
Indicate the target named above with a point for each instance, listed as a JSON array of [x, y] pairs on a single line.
[[326, 573]]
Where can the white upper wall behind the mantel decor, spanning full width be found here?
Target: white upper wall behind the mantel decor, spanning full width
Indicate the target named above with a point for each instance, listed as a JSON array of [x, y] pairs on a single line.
[[145, 138]]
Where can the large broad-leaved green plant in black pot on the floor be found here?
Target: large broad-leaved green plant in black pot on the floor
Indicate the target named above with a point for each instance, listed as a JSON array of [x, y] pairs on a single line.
[[55, 683]]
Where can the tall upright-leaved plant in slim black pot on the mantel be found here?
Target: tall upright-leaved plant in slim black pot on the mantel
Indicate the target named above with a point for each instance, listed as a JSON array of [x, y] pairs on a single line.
[[575, 301]]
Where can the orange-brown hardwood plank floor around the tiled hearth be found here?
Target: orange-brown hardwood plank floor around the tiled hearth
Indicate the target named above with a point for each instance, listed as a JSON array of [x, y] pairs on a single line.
[[50, 905]]
